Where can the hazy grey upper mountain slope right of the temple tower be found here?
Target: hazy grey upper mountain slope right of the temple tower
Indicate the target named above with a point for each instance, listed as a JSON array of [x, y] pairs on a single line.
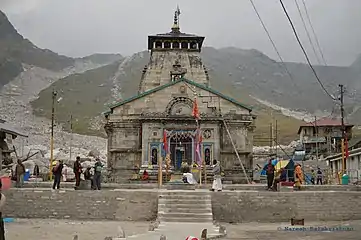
[[264, 78]]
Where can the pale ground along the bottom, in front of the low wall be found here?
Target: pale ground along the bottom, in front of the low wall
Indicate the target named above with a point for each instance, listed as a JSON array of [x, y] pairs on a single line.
[[98, 230]]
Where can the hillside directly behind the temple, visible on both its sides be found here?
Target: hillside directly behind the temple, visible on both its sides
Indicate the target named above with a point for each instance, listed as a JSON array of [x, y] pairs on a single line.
[[247, 75]]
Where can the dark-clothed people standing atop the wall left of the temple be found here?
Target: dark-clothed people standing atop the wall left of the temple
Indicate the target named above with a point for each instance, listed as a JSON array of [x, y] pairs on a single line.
[[92, 174]]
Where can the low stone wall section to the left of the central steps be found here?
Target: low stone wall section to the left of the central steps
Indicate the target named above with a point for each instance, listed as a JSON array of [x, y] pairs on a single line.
[[82, 205]]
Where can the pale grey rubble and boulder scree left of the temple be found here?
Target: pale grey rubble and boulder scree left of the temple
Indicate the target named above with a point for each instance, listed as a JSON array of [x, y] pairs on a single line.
[[15, 98]]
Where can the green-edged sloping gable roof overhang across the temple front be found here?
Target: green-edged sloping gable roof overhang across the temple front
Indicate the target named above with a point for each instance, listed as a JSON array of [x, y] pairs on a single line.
[[190, 82]]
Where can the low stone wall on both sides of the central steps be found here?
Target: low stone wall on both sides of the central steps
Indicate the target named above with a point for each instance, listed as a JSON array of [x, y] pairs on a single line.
[[237, 206]]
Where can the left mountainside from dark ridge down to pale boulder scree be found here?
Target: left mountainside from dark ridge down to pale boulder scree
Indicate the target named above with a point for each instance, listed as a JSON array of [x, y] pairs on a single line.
[[25, 70]]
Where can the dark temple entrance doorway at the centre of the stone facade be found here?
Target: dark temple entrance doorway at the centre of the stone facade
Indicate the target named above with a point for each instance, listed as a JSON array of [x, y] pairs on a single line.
[[181, 149]]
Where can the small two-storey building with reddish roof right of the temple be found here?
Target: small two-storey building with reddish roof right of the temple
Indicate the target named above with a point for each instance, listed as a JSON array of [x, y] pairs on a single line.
[[324, 133]]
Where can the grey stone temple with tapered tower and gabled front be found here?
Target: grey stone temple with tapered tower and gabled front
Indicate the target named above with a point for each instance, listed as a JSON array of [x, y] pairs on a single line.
[[173, 78]]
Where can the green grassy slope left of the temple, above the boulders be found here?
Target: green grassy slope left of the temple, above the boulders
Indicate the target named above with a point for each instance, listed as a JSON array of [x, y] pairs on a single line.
[[83, 96]]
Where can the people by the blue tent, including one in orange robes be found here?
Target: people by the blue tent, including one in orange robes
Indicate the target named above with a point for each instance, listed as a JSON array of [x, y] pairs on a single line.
[[275, 177]]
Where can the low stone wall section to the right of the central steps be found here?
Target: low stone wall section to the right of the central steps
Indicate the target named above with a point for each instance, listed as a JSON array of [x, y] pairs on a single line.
[[282, 206]]
